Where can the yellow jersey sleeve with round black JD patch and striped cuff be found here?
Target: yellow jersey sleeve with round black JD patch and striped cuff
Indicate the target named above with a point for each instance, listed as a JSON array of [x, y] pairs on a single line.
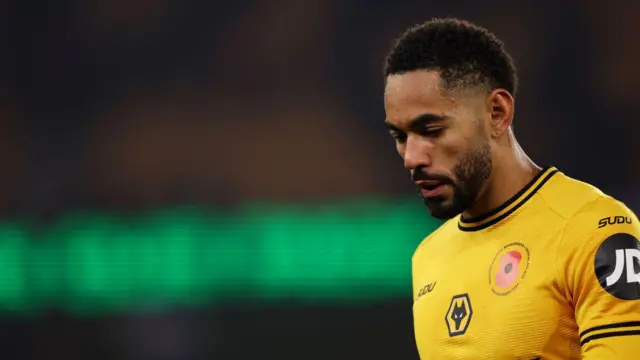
[[599, 269]]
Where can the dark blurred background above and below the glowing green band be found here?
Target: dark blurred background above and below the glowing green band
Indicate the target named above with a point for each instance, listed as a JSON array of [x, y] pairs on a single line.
[[133, 105]]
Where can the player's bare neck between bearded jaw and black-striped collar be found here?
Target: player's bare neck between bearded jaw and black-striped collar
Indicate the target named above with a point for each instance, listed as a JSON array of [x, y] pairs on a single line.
[[510, 173]]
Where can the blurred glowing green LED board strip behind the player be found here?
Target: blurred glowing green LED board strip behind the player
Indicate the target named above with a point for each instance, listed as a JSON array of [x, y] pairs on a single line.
[[188, 256]]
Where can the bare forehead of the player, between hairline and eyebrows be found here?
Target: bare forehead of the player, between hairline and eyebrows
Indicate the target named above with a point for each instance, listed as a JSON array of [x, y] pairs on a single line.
[[415, 93]]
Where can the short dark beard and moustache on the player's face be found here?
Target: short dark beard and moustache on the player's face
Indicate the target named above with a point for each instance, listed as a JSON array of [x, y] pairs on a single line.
[[470, 174]]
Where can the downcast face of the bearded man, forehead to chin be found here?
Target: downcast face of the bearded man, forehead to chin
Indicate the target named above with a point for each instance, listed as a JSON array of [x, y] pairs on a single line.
[[441, 138]]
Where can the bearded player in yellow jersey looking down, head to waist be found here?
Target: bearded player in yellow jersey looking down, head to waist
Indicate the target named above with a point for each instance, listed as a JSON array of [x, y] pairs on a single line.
[[530, 263]]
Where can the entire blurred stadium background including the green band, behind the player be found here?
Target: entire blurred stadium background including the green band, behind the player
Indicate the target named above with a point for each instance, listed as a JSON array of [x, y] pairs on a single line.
[[203, 179]]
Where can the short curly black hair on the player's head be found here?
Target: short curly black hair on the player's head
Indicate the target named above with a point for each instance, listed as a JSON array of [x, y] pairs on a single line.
[[463, 53]]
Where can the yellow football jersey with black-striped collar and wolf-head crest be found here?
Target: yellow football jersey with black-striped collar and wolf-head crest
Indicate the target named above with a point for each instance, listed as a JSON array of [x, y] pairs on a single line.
[[554, 273]]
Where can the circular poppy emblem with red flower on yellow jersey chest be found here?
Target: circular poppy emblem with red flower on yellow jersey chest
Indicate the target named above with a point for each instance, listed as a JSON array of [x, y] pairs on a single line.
[[508, 267]]
